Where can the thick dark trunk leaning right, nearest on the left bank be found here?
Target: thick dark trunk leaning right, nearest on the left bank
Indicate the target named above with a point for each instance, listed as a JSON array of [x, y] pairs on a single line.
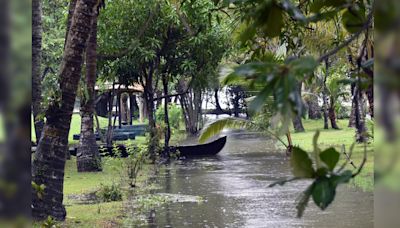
[[49, 161]]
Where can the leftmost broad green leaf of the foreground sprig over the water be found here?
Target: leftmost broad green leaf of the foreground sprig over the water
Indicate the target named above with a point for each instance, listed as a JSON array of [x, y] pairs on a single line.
[[301, 164]]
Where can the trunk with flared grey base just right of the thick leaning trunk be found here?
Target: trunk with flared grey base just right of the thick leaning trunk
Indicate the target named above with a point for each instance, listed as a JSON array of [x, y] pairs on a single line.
[[88, 156]]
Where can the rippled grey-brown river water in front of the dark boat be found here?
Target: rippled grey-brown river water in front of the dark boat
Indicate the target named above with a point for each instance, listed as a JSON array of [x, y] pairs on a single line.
[[234, 189]]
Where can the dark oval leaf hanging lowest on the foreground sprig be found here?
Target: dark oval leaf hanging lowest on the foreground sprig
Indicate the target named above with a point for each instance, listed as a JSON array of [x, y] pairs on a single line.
[[323, 192]]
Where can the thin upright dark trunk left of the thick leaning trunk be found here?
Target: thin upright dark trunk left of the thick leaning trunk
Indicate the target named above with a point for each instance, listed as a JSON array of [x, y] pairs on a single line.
[[36, 63]]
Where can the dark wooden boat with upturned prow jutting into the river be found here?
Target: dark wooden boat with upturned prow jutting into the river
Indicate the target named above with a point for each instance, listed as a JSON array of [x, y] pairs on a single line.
[[207, 149]]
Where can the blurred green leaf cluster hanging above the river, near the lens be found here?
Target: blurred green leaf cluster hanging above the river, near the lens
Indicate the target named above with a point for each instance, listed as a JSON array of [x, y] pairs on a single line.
[[276, 79]]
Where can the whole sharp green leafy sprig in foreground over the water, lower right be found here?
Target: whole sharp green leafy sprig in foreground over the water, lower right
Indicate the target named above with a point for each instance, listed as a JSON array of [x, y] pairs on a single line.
[[322, 172]]
